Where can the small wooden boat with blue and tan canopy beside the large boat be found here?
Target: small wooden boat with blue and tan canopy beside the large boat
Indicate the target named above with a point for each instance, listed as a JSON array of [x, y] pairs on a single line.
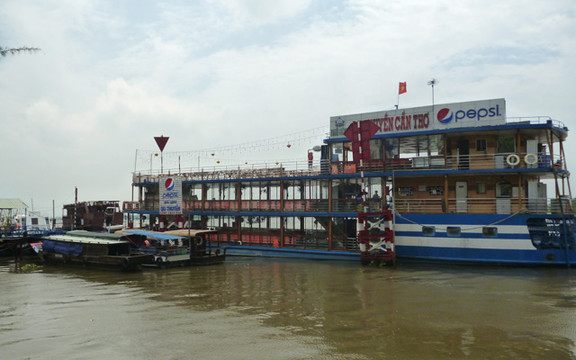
[[183, 247]]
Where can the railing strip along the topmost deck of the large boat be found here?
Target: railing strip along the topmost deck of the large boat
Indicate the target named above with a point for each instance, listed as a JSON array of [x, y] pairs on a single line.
[[323, 169]]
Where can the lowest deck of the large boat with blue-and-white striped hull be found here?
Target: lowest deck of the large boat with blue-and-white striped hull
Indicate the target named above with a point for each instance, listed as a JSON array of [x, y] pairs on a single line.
[[519, 238]]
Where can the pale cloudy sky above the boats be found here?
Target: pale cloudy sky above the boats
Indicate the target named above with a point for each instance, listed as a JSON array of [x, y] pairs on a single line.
[[218, 75]]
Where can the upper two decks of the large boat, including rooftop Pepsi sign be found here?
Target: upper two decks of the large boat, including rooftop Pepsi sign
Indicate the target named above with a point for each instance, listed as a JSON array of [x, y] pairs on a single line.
[[424, 163]]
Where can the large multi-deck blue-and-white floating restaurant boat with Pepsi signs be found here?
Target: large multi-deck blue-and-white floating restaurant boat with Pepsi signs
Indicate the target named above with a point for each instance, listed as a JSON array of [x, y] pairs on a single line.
[[456, 182]]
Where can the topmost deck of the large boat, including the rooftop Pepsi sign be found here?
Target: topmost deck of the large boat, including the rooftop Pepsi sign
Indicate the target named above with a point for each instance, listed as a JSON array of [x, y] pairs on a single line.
[[472, 137]]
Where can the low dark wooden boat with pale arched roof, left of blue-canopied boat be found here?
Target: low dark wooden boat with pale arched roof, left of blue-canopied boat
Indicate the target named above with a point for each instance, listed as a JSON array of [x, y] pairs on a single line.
[[86, 248]]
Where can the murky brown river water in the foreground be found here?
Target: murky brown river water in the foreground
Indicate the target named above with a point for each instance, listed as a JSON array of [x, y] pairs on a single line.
[[251, 308]]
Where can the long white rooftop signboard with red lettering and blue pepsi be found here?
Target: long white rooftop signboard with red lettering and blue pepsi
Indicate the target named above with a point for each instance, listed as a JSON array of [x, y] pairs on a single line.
[[426, 118]]
